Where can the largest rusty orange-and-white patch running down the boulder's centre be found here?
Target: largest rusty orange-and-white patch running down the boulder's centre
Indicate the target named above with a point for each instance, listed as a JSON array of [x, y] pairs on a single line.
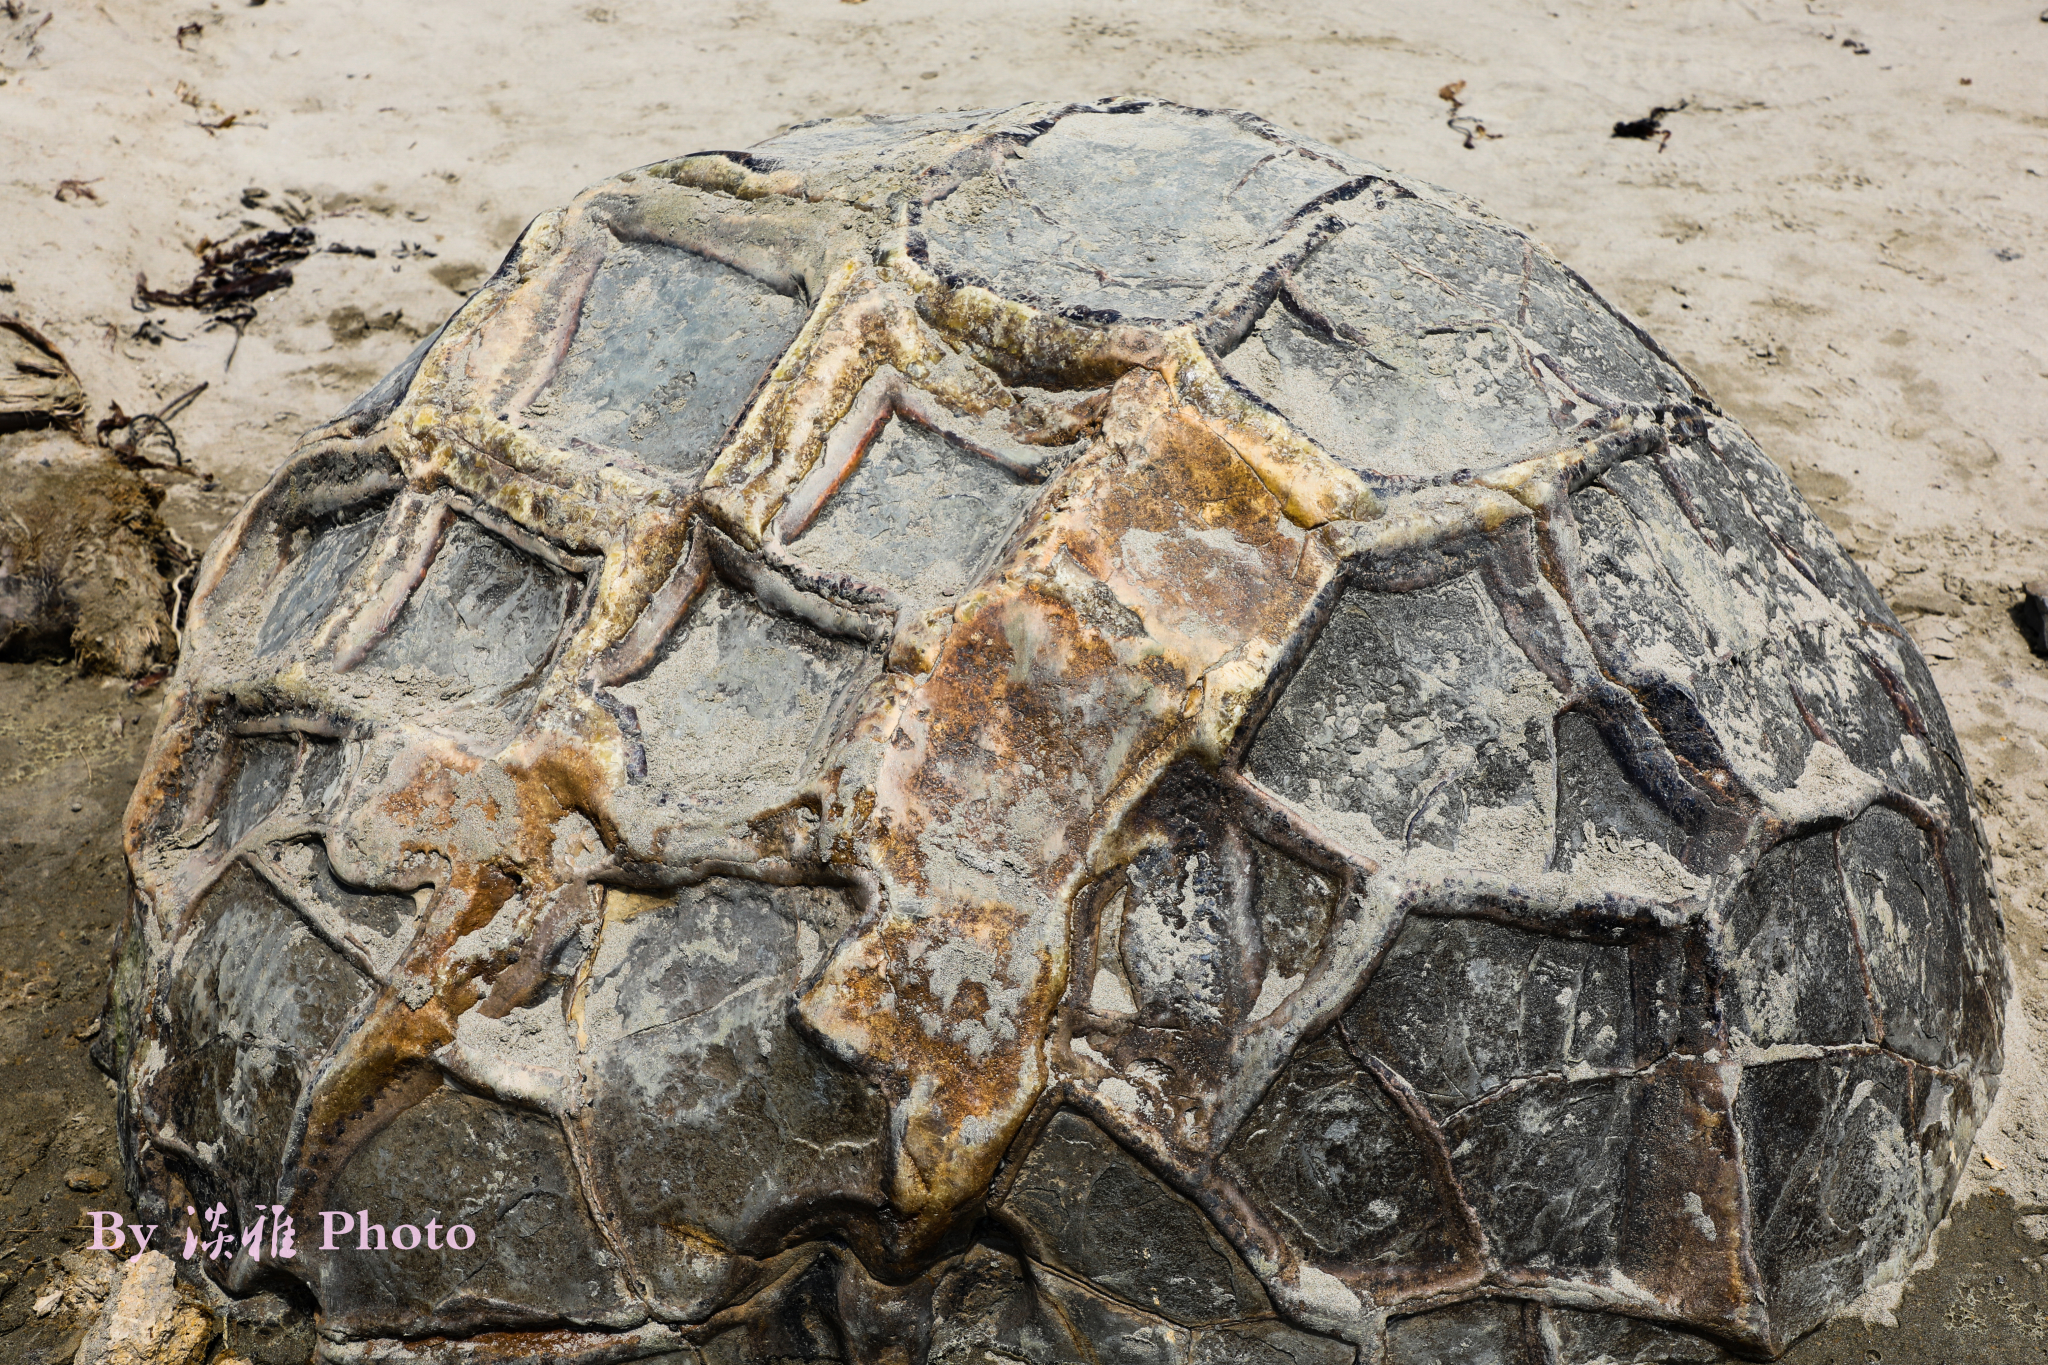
[[1076, 660]]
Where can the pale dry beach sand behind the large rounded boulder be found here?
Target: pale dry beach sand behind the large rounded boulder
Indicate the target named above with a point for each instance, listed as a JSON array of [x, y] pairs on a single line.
[[1846, 236]]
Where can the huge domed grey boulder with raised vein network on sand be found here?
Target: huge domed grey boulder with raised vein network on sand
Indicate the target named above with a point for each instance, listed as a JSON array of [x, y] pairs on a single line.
[[1064, 734]]
